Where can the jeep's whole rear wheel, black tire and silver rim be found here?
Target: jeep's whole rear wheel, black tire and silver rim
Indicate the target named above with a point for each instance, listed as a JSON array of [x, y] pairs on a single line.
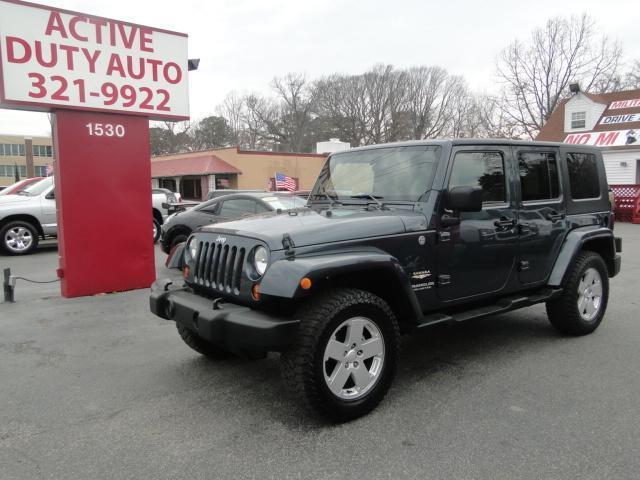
[[582, 305]]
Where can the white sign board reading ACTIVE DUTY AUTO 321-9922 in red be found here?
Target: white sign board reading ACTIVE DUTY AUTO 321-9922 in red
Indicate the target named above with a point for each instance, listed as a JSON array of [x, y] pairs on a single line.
[[57, 59]]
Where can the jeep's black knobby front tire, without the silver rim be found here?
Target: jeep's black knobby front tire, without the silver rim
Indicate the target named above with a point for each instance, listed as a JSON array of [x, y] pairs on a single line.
[[302, 365]]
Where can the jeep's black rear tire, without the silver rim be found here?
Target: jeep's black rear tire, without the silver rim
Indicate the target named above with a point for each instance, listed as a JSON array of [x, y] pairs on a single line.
[[563, 311]]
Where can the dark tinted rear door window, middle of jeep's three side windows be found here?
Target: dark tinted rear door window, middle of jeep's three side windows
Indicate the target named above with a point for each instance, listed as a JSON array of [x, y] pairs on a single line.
[[538, 175]]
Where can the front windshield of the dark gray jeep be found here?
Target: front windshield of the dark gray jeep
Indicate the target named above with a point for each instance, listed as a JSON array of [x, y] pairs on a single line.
[[392, 174]]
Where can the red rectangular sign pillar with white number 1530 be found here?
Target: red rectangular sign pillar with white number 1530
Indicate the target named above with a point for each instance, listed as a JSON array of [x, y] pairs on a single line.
[[103, 196]]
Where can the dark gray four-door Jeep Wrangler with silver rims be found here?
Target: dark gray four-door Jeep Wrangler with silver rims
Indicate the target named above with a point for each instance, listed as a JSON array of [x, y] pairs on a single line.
[[395, 238]]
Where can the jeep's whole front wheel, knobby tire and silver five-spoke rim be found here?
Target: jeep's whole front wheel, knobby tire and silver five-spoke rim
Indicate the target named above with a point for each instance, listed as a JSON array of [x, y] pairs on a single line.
[[345, 355]]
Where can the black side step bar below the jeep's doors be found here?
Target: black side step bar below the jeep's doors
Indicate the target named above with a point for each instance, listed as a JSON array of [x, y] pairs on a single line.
[[503, 305]]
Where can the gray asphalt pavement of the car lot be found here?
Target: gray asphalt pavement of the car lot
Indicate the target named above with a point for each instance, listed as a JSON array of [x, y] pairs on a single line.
[[99, 388]]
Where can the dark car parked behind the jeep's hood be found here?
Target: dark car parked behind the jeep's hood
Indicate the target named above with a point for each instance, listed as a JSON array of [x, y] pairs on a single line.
[[179, 226]]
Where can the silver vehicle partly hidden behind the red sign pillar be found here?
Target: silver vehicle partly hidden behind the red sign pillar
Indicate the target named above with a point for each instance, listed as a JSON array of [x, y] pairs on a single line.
[[30, 215]]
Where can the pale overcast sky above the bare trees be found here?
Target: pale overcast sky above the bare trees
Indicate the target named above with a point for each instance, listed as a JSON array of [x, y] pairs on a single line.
[[243, 44]]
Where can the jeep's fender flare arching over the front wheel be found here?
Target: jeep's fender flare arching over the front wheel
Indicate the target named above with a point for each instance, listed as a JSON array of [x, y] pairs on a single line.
[[282, 279]]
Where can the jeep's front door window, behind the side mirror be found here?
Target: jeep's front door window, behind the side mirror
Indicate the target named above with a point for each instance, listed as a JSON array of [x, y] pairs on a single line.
[[482, 169]]
